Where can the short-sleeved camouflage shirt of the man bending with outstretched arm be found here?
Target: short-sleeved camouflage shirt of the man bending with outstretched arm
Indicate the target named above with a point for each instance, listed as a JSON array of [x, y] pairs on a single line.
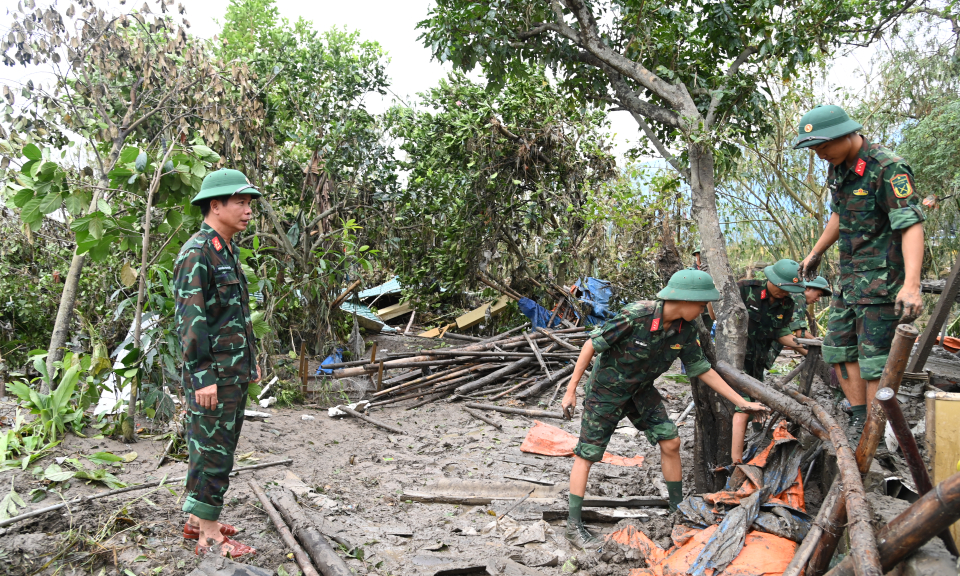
[[635, 349]]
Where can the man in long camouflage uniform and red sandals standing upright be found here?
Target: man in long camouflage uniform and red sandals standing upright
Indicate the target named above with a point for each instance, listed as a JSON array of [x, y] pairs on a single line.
[[219, 353]]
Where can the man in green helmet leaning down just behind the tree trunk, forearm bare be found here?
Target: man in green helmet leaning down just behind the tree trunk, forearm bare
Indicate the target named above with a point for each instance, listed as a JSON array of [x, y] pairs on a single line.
[[770, 311]]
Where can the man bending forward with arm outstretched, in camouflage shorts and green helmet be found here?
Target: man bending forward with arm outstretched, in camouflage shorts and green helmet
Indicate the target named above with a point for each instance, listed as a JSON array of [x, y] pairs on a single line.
[[636, 347]]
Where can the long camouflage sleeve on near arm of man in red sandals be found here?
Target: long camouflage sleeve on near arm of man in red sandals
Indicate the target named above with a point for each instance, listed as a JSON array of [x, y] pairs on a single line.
[[192, 276]]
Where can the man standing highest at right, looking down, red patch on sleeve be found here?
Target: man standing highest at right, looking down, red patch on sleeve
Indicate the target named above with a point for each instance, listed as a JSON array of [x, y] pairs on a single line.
[[879, 223]]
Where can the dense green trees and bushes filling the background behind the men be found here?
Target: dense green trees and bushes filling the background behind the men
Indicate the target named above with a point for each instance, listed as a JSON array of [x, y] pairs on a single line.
[[511, 174]]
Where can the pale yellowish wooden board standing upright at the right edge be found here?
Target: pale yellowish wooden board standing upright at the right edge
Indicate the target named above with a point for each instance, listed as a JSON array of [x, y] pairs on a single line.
[[943, 439]]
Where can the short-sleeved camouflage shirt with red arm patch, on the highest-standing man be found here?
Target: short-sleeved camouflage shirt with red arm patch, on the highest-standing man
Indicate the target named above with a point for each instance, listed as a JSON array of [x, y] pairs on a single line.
[[876, 200]]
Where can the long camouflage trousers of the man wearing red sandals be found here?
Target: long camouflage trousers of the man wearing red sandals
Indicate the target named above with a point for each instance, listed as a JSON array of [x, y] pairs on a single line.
[[212, 437]]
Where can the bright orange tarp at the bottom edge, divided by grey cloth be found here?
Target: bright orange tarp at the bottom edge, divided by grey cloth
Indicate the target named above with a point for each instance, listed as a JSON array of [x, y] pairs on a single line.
[[762, 555]]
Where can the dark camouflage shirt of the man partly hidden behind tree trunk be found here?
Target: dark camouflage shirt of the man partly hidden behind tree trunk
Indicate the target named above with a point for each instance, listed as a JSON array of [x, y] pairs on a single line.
[[769, 319]]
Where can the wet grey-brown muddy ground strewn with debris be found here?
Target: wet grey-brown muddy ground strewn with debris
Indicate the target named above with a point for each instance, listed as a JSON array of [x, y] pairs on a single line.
[[356, 475]]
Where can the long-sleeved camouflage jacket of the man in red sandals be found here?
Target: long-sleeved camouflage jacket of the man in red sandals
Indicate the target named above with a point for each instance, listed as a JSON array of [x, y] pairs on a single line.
[[213, 313]]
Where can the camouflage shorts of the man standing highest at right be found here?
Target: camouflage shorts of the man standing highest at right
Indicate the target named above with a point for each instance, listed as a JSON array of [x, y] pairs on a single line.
[[860, 333]]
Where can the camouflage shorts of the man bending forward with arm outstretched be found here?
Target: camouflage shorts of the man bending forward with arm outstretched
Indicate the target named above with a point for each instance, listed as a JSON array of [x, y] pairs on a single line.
[[602, 413]]
